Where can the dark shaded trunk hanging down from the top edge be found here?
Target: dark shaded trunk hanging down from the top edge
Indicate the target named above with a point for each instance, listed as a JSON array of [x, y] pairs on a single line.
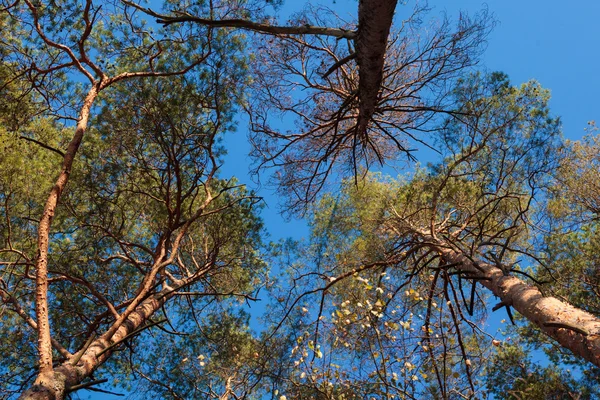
[[374, 23]]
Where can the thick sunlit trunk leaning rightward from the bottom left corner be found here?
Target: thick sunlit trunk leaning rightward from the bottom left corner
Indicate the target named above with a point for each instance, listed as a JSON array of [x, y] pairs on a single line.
[[67, 375]]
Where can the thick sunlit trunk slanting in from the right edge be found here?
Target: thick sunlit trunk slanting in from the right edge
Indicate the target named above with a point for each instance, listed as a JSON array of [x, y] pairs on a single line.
[[573, 328]]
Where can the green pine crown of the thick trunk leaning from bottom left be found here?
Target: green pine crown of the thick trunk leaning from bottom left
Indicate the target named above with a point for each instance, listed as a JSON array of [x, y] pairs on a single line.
[[146, 171]]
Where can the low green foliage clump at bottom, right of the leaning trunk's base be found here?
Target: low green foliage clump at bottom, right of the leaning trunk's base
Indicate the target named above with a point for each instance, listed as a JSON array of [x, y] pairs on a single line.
[[207, 353]]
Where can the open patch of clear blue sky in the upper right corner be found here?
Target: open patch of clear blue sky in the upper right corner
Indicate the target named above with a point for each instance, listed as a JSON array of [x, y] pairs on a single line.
[[554, 43]]
